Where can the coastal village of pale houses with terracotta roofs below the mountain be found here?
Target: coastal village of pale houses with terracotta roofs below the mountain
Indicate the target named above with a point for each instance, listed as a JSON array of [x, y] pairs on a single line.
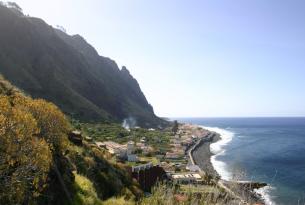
[[147, 167]]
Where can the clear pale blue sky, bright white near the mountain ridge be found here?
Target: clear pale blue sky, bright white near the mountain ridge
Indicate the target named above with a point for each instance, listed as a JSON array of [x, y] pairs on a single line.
[[197, 58]]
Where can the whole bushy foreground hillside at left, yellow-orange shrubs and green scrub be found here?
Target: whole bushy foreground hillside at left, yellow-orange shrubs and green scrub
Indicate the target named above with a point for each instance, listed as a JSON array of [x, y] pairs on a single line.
[[40, 166]]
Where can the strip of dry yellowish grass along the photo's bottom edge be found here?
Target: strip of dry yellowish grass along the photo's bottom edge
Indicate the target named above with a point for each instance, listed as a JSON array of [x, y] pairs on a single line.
[[162, 195]]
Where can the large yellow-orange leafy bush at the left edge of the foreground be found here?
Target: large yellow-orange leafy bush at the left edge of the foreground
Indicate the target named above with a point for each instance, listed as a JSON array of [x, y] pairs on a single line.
[[30, 132]]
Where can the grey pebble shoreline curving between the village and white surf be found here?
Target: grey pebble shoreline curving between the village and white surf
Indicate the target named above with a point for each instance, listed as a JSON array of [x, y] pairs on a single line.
[[202, 155]]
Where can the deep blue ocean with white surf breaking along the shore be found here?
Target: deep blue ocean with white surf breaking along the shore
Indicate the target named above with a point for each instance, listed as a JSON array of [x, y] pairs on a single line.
[[270, 150]]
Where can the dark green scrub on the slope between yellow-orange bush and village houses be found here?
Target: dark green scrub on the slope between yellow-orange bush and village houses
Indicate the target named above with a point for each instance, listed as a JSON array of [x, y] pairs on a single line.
[[108, 179]]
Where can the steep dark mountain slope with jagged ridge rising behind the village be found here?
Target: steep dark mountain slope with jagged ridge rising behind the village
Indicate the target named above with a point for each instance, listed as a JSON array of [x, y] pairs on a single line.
[[66, 70]]
